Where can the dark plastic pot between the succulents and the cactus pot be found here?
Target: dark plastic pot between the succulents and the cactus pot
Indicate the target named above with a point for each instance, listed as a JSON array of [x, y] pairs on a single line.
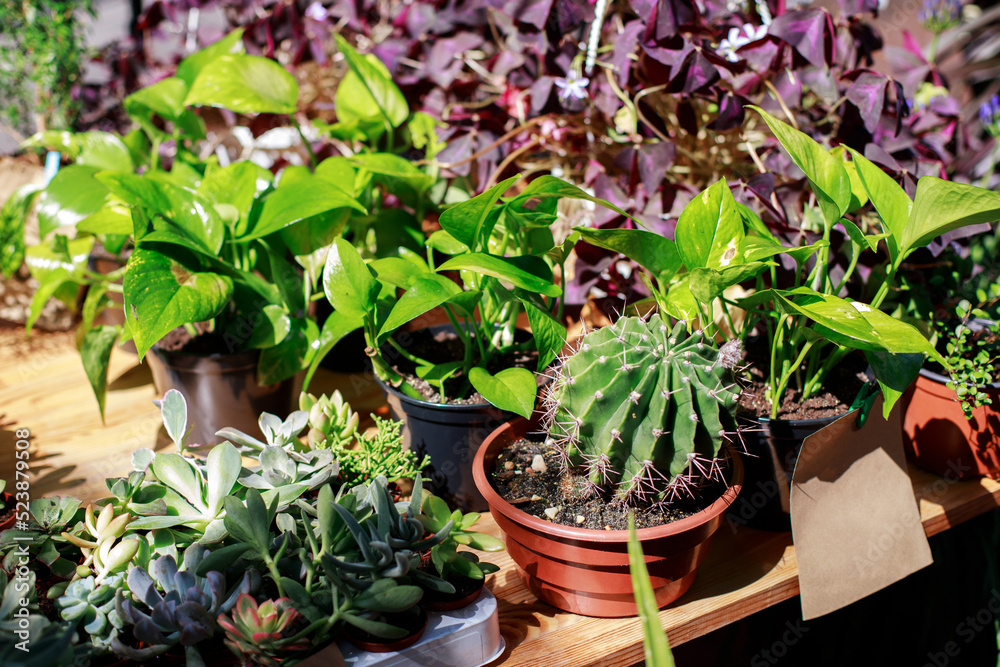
[[450, 435]]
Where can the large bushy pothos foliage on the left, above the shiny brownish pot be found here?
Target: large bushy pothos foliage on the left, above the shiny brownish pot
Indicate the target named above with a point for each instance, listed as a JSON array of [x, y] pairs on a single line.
[[224, 246]]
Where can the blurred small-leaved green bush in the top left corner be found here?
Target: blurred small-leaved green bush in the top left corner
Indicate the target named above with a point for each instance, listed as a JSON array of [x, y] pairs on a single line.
[[44, 50]]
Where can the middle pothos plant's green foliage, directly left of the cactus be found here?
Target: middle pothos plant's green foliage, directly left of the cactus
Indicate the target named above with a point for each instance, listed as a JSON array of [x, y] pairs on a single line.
[[507, 260]]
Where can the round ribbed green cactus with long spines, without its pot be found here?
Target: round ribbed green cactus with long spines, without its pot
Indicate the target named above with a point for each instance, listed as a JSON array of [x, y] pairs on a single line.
[[643, 410]]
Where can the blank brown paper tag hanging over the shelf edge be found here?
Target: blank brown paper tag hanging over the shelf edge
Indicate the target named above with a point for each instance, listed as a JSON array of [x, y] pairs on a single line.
[[855, 522]]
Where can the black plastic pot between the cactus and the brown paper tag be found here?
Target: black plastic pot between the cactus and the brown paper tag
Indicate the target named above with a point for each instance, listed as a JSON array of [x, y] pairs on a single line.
[[772, 449]]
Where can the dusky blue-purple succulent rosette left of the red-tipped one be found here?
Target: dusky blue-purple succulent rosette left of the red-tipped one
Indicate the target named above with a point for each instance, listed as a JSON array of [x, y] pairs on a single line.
[[184, 613]]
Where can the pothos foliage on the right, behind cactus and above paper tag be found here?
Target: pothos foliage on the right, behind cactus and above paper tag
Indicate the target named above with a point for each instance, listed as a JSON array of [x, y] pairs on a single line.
[[808, 326]]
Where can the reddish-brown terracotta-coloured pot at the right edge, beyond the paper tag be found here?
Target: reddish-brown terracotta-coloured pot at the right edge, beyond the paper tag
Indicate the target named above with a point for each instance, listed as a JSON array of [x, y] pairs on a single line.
[[939, 438]]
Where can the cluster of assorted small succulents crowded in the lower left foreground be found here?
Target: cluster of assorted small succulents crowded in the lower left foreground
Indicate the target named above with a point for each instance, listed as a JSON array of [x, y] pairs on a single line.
[[259, 547]]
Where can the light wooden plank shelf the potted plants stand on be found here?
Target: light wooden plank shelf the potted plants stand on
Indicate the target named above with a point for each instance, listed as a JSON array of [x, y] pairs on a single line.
[[43, 389]]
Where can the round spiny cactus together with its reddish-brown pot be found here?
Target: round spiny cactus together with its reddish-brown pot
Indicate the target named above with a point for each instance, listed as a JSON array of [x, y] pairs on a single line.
[[637, 416]]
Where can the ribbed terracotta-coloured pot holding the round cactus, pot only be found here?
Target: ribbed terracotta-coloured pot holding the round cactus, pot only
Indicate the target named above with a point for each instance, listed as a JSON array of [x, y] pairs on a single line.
[[586, 571]]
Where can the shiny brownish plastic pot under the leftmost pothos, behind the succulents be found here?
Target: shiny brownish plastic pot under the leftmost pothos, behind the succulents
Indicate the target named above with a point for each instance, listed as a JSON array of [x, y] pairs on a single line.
[[221, 390]]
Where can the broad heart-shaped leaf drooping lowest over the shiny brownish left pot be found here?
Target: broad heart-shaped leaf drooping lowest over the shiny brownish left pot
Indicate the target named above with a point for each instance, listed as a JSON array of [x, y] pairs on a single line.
[[167, 289]]
